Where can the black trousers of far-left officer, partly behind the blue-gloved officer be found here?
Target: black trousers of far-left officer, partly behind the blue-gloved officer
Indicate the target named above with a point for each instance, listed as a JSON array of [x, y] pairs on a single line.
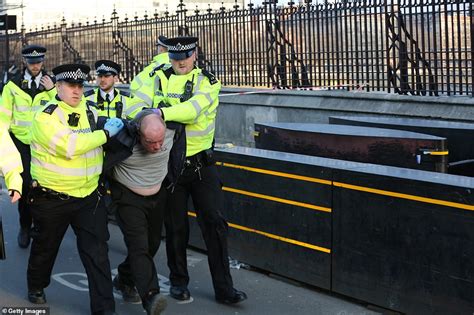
[[23, 207]]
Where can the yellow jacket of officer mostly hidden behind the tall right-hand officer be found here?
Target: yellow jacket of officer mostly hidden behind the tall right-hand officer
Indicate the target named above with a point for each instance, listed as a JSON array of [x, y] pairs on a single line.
[[143, 85]]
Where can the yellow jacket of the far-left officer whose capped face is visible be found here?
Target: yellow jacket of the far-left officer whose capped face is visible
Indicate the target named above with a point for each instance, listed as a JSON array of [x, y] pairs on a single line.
[[18, 108]]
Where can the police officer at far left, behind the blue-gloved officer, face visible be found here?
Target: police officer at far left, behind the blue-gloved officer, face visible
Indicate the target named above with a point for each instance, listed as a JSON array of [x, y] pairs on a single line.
[[22, 96]]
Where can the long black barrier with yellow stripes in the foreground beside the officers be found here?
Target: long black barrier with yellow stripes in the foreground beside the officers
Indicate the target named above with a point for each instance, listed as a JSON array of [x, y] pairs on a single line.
[[398, 238]]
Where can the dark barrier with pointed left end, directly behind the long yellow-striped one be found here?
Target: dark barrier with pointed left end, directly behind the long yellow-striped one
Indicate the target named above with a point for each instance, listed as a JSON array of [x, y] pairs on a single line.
[[353, 143]]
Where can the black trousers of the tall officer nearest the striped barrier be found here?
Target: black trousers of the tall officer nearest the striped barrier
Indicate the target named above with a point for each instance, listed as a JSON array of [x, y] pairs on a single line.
[[204, 187]]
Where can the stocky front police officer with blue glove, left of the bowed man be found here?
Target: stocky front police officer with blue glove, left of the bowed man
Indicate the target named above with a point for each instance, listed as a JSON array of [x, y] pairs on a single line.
[[67, 157]]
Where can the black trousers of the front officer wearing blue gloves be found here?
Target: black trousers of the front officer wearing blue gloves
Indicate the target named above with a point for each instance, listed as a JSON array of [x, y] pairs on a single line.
[[53, 215]]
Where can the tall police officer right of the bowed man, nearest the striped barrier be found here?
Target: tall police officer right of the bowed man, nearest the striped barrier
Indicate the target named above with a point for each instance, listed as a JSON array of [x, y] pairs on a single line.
[[189, 95]]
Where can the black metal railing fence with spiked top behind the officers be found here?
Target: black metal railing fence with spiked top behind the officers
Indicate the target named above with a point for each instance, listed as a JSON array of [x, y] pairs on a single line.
[[418, 47]]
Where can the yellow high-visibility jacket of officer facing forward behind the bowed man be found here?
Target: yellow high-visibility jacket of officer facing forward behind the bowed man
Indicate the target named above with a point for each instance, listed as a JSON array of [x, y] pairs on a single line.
[[121, 99]]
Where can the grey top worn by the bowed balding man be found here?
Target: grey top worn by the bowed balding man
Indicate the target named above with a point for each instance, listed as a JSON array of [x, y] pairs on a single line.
[[142, 169]]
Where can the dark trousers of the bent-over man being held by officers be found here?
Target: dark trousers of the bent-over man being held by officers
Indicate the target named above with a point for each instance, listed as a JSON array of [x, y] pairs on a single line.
[[140, 218]]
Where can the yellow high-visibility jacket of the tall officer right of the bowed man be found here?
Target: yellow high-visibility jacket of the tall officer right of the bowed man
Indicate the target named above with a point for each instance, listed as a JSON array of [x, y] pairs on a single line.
[[198, 113]]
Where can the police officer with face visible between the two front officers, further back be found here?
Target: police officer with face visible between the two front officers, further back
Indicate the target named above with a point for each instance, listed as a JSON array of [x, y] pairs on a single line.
[[110, 102]]
